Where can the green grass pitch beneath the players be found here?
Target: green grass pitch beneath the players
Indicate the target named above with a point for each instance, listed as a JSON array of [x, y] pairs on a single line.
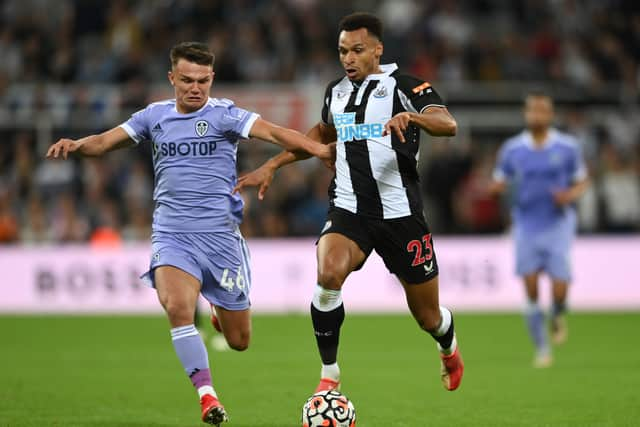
[[121, 371]]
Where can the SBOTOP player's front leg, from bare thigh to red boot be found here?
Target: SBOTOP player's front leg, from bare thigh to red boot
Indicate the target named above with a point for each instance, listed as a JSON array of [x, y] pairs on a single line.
[[178, 293]]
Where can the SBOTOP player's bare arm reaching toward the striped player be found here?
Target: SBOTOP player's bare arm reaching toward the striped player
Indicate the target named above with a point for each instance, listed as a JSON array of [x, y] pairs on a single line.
[[290, 139]]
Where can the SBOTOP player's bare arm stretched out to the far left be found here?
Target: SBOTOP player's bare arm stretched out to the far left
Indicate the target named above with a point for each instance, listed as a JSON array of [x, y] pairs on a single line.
[[91, 146]]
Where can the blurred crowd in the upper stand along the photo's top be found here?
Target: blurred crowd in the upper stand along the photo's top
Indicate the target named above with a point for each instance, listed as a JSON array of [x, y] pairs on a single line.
[[94, 41]]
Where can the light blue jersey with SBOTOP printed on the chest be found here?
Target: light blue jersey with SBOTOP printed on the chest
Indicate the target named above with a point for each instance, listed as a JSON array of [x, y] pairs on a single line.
[[194, 159]]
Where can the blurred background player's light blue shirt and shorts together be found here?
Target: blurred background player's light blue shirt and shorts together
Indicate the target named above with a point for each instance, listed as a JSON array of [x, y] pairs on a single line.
[[542, 230]]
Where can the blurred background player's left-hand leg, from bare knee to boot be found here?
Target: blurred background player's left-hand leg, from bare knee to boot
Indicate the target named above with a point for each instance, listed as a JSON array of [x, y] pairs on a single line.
[[535, 323]]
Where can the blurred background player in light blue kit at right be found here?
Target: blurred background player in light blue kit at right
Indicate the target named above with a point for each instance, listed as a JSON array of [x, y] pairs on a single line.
[[546, 173]]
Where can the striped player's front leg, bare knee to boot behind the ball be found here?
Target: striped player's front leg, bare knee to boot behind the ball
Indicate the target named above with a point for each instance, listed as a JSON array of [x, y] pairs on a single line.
[[337, 257]]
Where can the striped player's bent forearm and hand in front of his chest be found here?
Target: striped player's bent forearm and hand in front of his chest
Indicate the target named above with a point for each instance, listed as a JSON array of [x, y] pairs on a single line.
[[435, 120]]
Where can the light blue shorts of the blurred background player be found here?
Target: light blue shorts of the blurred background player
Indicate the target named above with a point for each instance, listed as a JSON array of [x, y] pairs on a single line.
[[546, 250]]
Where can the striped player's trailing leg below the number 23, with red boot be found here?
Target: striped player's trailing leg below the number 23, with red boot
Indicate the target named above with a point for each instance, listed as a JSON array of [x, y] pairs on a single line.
[[424, 304]]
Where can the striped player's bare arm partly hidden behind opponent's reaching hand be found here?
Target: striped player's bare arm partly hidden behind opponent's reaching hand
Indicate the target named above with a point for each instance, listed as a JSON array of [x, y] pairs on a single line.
[[263, 176]]
